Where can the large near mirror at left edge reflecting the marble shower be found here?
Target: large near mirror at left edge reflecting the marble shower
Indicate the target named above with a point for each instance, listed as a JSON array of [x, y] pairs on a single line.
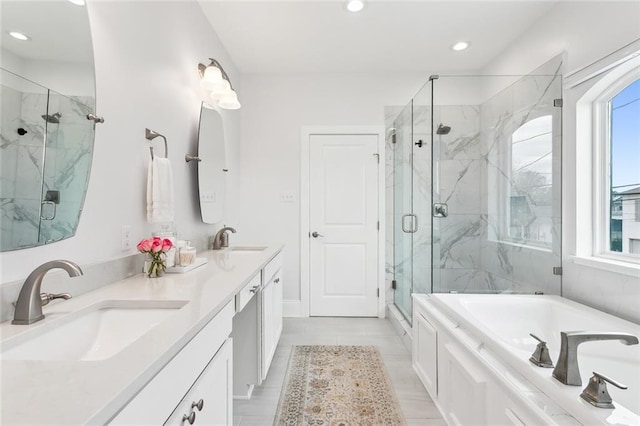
[[47, 88]]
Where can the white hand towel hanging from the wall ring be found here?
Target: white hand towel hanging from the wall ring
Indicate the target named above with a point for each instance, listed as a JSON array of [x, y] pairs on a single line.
[[159, 191]]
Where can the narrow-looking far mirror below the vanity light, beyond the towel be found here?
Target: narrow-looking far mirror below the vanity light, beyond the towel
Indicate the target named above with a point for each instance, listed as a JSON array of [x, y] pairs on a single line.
[[212, 165]]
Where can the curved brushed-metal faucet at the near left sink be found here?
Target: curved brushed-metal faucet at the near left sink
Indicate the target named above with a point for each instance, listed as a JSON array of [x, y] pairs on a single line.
[[29, 304]]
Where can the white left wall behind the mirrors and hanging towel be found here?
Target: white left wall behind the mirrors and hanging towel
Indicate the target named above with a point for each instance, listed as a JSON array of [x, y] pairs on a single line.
[[146, 56]]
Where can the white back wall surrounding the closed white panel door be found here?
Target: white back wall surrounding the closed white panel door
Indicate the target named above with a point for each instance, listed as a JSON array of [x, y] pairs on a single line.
[[274, 109]]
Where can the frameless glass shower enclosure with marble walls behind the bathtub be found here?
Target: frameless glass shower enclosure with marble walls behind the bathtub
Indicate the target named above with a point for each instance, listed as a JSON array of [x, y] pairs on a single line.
[[477, 186]]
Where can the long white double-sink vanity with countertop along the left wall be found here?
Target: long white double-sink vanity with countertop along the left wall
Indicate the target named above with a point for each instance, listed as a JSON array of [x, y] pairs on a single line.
[[147, 351]]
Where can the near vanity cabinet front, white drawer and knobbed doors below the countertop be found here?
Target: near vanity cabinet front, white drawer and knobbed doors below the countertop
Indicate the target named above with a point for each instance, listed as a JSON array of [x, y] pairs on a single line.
[[201, 370]]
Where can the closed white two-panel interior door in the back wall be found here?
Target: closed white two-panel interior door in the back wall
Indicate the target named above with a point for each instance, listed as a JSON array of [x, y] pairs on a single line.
[[343, 224]]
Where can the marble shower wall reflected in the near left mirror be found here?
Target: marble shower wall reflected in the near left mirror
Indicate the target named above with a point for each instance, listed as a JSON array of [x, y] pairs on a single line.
[[27, 175]]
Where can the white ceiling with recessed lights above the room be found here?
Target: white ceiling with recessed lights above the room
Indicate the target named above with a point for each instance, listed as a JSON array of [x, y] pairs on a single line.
[[387, 36]]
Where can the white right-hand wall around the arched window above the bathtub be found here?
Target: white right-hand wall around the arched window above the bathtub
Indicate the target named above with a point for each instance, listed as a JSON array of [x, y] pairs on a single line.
[[586, 32]]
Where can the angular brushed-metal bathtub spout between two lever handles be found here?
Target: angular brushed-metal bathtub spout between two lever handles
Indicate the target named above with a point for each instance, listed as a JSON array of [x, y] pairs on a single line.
[[567, 370]]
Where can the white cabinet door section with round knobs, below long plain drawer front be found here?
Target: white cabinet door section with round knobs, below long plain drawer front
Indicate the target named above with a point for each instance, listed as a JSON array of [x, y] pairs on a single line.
[[215, 388]]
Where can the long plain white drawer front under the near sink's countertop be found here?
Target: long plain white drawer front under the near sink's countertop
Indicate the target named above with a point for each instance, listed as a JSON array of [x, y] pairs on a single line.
[[156, 401]]
